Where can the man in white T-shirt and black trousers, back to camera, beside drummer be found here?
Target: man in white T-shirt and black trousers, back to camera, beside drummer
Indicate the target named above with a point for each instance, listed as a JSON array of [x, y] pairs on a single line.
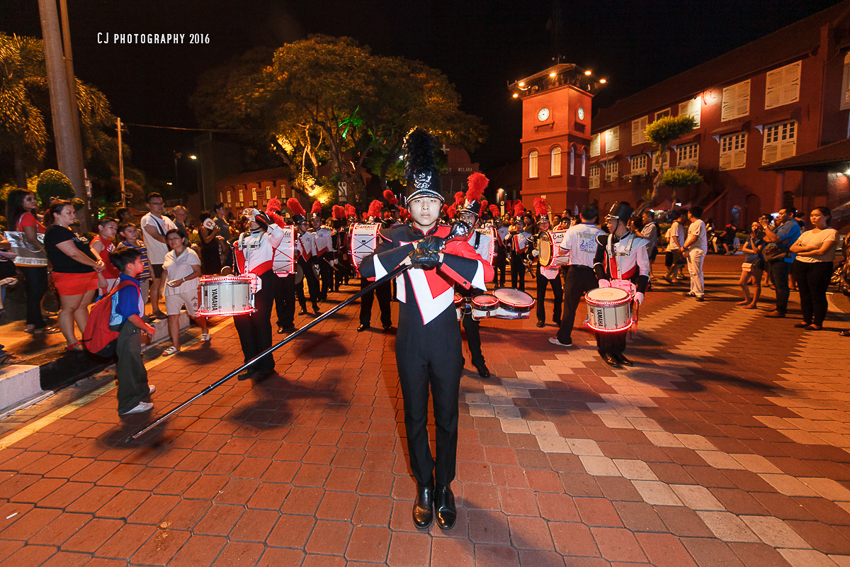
[[580, 244]]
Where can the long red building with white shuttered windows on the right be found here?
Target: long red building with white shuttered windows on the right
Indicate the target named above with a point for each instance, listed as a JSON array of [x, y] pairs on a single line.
[[780, 96]]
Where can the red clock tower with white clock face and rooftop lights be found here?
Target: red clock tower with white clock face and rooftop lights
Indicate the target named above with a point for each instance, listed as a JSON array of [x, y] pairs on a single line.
[[556, 105]]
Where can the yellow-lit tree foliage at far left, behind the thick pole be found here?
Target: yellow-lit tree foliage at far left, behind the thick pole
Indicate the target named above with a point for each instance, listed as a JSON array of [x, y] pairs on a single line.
[[25, 109]]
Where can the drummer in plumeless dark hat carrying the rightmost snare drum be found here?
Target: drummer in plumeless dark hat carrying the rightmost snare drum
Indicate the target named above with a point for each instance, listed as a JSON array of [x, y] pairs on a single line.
[[620, 257]]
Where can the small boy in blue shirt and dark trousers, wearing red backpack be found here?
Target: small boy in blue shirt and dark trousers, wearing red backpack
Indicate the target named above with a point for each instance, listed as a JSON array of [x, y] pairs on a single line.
[[126, 317]]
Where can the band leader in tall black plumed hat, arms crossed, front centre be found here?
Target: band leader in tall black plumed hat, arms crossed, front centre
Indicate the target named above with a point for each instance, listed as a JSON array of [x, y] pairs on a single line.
[[428, 344]]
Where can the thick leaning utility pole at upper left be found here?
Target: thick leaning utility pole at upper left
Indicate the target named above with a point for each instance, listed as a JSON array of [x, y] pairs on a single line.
[[68, 151]]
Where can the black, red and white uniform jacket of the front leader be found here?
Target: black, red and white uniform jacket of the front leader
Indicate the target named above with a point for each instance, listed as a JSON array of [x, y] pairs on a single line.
[[432, 289]]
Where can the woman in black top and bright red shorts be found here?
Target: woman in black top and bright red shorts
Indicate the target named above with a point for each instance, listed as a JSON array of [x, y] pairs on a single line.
[[75, 270]]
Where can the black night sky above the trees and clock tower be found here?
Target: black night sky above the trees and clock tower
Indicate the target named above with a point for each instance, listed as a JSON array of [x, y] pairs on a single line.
[[481, 45]]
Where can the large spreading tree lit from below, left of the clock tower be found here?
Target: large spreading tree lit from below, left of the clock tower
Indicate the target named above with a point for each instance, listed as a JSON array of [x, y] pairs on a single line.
[[330, 99]]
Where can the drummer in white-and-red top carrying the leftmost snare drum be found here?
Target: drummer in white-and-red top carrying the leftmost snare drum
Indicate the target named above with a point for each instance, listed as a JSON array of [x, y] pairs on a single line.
[[254, 251]]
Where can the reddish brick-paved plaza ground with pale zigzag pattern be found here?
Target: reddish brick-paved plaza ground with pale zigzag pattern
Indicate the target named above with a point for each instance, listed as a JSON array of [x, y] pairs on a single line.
[[726, 445]]
